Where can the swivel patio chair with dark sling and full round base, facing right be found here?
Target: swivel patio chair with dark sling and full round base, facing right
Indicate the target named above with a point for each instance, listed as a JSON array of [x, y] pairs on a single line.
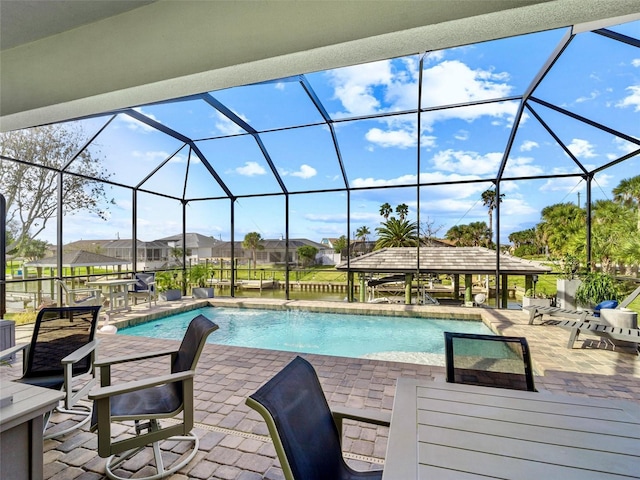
[[147, 401]]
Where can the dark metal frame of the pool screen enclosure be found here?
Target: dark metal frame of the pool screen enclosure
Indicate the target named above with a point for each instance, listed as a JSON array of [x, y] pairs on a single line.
[[528, 103]]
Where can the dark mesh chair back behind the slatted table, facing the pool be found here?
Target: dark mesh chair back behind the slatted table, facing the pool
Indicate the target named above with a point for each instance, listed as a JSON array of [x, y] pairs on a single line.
[[488, 360]]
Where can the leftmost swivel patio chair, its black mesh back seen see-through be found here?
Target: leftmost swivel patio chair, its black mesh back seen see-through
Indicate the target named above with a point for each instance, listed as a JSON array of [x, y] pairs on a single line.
[[60, 357]]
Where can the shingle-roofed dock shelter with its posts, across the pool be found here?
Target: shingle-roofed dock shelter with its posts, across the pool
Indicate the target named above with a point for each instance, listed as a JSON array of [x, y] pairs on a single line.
[[409, 262]]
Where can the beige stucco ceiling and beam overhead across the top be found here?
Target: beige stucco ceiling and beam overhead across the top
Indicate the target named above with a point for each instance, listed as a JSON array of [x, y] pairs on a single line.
[[64, 59]]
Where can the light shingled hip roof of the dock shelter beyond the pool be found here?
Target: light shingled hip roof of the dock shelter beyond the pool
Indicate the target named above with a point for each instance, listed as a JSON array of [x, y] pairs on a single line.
[[463, 260]]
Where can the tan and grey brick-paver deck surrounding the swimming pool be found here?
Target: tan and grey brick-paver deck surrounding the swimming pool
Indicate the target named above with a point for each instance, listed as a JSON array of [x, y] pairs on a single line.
[[234, 439]]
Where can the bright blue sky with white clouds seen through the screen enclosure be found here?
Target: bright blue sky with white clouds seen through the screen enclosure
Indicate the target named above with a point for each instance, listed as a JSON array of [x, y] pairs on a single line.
[[596, 77]]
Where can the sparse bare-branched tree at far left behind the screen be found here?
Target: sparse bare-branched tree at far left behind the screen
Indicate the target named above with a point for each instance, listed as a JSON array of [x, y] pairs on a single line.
[[31, 192]]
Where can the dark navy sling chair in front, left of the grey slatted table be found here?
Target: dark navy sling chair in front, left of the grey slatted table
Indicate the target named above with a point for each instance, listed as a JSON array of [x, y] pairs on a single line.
[[305, 433]]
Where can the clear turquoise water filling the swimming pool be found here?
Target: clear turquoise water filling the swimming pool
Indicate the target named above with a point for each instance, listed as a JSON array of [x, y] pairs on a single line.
[[417, 340]]
